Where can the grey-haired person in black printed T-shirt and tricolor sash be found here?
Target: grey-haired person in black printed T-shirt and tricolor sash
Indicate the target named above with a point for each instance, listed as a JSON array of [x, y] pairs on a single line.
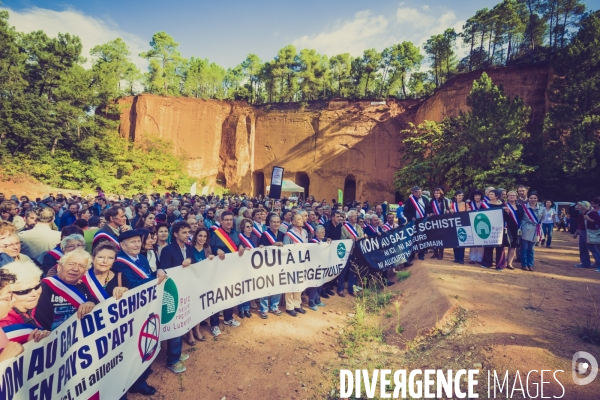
[[63, 295]]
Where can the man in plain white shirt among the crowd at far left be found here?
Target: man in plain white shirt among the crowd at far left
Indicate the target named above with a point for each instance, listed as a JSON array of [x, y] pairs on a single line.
[[38, 241]]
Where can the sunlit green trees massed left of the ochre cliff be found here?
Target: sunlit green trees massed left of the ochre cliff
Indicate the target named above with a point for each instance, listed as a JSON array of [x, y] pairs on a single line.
[[52, 127]]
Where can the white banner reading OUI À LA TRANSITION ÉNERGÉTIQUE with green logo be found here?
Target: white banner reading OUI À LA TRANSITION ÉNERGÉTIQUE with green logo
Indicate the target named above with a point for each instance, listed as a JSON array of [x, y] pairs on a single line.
[[195, 293]]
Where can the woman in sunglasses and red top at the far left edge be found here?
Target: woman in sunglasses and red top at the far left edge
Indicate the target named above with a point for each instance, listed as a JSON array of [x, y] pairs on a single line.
[[20, 323]]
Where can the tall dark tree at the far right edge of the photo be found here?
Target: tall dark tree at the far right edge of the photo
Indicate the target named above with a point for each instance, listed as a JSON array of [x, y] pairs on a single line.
[[571, 148]]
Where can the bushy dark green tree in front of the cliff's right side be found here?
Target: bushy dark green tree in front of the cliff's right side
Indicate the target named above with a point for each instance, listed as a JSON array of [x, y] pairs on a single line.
[[480, 147]]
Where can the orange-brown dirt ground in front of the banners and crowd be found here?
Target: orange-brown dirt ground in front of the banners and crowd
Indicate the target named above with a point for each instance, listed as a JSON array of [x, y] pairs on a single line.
[[452, 316]]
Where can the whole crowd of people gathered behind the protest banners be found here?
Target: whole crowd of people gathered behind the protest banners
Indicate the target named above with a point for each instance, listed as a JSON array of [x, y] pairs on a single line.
[[97, 247]]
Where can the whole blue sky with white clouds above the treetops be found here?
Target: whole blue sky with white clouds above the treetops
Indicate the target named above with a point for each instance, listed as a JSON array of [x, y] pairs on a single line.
[[227, 31]]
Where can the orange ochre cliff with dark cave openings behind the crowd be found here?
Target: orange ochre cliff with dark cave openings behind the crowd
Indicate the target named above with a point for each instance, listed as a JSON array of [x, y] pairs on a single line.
[[328, 145]]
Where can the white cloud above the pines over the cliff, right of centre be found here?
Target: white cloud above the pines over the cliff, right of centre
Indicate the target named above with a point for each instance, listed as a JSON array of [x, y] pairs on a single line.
[[365, 30]]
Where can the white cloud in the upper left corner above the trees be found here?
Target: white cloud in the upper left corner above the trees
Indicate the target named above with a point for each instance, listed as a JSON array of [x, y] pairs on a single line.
[[92, 31]]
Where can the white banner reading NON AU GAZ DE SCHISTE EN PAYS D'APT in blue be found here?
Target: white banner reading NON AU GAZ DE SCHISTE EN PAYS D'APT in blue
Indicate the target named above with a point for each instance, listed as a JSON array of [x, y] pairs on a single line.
[[97, 357]]
